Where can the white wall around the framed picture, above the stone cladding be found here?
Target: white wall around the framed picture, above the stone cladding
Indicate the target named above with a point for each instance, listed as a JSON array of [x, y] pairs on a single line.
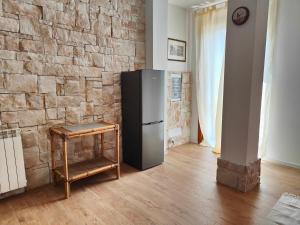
[[177, 29]]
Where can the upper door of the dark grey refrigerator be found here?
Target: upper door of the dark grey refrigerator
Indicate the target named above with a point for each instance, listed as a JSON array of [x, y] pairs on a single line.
[[152, 96]]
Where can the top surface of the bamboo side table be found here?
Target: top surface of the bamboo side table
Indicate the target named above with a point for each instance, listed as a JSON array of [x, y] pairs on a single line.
[[82, 129]]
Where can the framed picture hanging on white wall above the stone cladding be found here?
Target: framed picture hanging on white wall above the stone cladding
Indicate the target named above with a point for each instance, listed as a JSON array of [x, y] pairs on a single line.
[[176, 50]]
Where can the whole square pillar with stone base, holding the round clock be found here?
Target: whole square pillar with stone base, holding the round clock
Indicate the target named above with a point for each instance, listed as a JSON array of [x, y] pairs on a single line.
[[238, 166]]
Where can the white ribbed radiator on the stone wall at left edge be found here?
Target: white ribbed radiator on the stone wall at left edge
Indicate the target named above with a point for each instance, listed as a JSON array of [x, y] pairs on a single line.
[[12, 169]]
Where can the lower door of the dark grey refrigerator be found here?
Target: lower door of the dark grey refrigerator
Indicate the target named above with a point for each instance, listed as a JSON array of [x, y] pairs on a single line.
[[153, 145]]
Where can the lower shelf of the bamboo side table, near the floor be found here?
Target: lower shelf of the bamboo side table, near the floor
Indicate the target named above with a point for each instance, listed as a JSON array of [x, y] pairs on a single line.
[[85, 169]]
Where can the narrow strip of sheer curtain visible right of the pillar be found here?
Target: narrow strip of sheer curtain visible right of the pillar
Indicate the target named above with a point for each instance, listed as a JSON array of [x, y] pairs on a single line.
[[268, 74]]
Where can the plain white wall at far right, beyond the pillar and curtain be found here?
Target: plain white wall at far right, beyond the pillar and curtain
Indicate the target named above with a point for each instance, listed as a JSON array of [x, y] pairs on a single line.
[[284, 131]]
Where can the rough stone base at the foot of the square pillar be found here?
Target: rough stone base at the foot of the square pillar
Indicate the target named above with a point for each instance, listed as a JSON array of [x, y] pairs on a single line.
[[241, 178]]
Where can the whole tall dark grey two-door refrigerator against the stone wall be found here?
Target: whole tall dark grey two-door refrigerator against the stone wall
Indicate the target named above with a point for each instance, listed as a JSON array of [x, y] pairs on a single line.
[[143, 118]]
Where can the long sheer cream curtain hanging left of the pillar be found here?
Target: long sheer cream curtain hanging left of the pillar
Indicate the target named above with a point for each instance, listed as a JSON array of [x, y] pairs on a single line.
[[210, 36]]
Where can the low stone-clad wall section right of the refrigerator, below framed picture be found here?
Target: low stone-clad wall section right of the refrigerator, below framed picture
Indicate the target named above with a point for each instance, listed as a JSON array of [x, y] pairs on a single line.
[[179, 112]]
